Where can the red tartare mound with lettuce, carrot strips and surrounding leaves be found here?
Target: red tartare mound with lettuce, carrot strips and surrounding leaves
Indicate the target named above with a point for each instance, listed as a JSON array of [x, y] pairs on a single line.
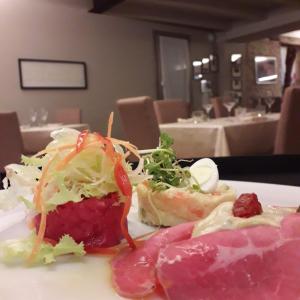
[[77, 193]]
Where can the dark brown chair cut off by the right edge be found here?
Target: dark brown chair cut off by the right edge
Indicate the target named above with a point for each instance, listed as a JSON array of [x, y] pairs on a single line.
[[287, 140]]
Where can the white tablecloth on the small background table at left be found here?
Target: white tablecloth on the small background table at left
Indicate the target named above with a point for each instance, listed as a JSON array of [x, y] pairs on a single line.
[[37, 137]]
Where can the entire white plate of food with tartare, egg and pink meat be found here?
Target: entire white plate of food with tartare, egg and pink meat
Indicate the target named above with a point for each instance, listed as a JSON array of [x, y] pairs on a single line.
[[205, 244]]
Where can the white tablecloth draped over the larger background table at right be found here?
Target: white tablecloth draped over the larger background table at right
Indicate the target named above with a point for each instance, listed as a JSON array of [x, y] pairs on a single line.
[[224, 136]]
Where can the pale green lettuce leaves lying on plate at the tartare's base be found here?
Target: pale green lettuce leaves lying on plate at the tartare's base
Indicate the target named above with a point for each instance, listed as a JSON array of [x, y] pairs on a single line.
[[16, 251]]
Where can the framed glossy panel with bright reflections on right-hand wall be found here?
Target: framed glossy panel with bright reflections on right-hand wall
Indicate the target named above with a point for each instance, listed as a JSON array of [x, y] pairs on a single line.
[[265, 69]]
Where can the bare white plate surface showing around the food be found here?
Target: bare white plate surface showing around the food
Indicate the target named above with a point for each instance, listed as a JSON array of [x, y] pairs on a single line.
[[89, 278]]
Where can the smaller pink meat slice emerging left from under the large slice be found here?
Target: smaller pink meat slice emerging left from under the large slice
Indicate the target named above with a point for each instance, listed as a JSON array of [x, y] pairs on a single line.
[[134, 271]]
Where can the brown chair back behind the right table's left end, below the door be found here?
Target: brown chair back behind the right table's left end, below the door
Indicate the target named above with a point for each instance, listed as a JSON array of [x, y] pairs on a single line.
[[169, 110]]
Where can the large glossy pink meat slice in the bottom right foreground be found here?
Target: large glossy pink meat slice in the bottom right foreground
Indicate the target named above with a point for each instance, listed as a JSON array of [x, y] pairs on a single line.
[[254, 263]]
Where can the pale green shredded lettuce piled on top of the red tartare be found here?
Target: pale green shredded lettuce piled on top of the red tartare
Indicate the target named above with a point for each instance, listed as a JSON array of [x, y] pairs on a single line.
[[89, 174]]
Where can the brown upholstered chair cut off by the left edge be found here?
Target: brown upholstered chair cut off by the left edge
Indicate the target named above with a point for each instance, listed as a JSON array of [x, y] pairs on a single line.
[[11, 139]]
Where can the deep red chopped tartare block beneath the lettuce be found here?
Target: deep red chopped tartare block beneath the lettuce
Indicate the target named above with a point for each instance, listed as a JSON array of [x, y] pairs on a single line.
[[94, 221]]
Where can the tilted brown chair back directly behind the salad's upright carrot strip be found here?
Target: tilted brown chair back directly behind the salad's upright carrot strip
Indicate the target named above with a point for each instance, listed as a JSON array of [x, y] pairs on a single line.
[[139, 121]]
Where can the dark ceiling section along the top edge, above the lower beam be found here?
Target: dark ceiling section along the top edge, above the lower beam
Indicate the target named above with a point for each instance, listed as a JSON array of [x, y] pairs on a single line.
[[216, 15]]
